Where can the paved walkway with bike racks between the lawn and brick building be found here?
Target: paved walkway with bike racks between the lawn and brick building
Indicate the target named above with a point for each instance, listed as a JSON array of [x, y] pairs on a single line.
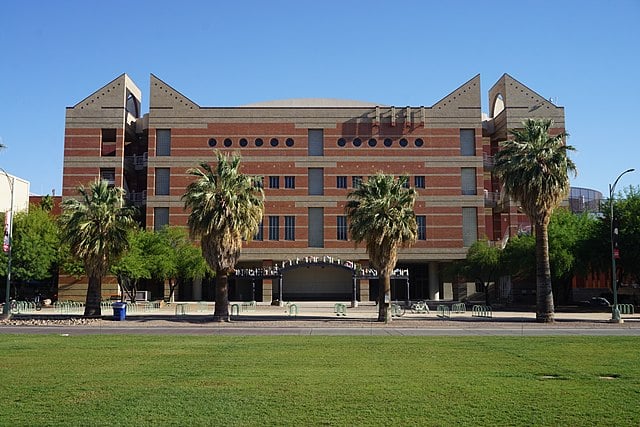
[[319, 319]]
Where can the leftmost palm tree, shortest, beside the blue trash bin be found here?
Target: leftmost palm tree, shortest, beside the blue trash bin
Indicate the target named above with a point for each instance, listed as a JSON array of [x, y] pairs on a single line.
[[96, 228]]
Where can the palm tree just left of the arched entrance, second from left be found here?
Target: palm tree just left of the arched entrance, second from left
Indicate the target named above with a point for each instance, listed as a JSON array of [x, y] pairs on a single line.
[[226, 207]]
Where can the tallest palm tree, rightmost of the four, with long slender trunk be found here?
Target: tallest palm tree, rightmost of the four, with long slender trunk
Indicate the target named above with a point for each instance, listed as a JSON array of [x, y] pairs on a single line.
[[533, 168]]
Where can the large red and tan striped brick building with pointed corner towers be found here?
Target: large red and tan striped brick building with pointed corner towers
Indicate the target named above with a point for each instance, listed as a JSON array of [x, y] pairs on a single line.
[[311, 153]]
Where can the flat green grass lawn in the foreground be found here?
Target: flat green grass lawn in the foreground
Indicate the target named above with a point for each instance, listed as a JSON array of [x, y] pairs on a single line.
[[351, 381]]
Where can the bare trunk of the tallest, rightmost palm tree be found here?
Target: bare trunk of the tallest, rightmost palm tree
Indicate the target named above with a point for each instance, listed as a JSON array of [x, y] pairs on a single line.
[[544, 293]]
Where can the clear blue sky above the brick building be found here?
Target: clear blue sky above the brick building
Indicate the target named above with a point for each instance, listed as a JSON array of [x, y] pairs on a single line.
[[584, 54]]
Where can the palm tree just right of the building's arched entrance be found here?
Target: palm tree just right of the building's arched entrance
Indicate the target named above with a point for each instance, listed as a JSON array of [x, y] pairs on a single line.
[[380, 212]]
